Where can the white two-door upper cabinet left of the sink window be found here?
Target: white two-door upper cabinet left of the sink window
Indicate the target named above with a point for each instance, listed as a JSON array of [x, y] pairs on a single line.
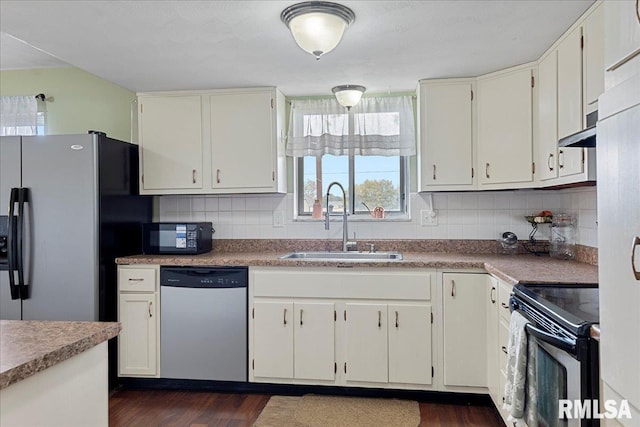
[[221, 141]]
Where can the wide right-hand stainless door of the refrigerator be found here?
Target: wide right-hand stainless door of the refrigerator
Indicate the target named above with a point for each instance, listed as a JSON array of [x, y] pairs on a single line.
[[62, 248]]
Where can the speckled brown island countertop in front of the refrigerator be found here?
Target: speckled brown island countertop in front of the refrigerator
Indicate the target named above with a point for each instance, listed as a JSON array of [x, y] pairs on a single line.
[[29, 346]]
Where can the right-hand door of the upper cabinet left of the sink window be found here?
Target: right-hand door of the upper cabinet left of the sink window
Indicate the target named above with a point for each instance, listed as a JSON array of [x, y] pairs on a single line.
[[242, 140]]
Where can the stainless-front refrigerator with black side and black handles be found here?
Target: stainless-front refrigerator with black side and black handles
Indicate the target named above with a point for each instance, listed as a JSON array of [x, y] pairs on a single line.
[[70, 206]]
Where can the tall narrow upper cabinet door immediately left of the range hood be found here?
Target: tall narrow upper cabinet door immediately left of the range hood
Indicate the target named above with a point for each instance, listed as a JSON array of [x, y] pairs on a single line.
[[548, 117]]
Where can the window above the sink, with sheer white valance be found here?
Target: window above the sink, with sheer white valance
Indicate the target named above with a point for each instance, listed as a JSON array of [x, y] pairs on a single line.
[[364, 149]]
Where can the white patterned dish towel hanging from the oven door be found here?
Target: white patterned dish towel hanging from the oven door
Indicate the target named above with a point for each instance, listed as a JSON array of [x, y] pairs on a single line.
[[520, 393]]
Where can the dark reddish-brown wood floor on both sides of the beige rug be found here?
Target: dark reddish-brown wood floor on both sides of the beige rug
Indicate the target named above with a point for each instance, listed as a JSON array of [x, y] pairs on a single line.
[[203, 409]]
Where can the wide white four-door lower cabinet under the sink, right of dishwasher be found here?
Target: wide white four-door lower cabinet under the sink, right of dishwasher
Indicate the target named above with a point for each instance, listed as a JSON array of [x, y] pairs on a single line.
[[356, 327]]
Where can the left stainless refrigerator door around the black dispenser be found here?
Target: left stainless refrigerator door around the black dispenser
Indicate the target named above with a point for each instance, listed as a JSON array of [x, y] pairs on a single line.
[[9, 178]]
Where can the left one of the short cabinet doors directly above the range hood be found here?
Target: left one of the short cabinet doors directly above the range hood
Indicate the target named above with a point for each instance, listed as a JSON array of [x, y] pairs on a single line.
[[570, 84]]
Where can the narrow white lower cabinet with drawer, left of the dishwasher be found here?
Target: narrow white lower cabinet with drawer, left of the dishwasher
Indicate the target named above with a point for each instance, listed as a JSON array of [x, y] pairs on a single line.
[[139, 314]]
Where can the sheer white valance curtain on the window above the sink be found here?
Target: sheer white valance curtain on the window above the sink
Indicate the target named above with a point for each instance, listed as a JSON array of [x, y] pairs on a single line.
[[374, 127]]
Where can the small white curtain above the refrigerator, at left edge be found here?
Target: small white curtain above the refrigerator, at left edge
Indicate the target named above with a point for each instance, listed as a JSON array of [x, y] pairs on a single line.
[[18, 115]]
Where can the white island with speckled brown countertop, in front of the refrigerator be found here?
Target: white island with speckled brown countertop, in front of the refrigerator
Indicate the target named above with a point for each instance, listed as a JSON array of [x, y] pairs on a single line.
[[54, 373]]
